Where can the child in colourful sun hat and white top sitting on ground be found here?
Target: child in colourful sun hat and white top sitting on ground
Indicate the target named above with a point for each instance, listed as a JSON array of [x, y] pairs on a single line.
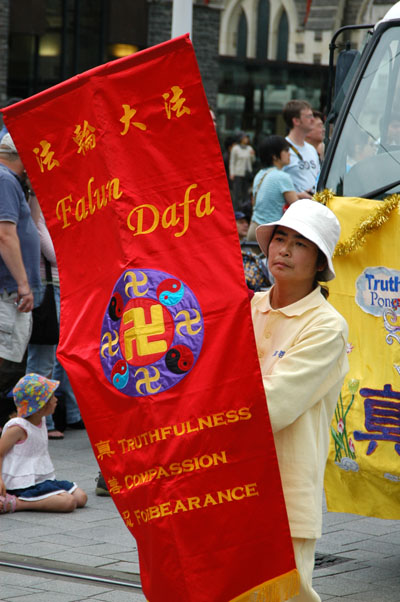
[[27, 480]]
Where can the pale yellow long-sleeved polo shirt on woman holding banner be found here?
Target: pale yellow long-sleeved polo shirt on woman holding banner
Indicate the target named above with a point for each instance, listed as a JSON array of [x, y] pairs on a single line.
[[302, 353]]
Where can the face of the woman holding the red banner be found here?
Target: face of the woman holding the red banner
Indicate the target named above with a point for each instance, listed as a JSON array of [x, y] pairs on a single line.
[[292, 258]]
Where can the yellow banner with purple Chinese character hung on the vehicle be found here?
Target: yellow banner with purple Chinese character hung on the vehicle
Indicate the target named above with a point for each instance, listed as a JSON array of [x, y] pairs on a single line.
[[363, 470]]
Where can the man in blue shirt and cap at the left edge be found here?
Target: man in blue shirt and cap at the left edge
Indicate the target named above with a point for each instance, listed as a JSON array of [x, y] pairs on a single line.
[[19, 256]]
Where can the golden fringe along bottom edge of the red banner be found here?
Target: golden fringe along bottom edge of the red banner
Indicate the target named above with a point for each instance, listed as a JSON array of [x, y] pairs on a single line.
[[281, 588]]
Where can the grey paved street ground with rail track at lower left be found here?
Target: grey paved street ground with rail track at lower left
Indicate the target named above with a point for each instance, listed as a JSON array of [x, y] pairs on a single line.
[[359, 557]]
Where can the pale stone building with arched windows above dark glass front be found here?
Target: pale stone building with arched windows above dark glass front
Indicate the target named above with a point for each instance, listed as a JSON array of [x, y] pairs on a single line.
[[271, 51]]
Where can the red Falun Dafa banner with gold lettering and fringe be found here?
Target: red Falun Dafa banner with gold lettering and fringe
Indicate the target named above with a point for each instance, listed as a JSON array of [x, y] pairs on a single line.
[[156, 331]]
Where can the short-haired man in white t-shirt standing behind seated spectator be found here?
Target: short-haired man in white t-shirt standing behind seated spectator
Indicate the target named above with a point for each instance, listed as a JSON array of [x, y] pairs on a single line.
[[304, 166]]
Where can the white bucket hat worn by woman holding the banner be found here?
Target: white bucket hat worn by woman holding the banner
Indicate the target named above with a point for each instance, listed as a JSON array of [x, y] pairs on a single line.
[[313, 221]]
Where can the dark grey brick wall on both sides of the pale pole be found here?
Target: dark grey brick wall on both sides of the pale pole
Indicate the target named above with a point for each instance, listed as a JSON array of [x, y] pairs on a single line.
[[205, 35]]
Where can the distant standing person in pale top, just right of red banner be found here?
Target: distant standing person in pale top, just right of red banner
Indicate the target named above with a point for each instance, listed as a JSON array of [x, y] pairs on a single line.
[[241, 161]]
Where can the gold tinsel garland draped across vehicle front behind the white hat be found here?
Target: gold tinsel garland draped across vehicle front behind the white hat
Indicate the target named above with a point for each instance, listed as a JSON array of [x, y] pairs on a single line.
[[367, 226]]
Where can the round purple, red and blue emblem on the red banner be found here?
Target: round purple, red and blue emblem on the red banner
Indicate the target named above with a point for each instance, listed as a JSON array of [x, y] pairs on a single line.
[[152, 332]]
